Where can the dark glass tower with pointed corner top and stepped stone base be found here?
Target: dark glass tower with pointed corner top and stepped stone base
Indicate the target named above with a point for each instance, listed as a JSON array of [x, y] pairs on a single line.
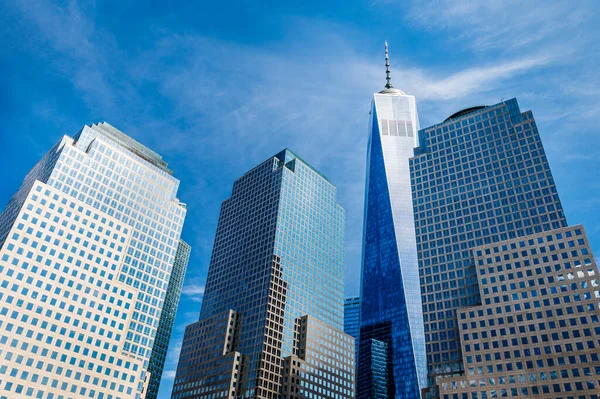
[[272, 314]]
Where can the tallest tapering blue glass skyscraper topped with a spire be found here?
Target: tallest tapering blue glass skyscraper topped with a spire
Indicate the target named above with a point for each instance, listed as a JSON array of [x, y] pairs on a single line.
[[391, 310]]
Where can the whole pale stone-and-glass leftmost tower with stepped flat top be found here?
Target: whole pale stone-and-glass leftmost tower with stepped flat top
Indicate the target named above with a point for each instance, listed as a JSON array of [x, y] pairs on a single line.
[[88, 245]]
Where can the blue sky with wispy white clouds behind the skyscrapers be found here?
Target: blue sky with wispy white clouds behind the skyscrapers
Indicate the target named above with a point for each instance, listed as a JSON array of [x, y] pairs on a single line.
[[217, 87]]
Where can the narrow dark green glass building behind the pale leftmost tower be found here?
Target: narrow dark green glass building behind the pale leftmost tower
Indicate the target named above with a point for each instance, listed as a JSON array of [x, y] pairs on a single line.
[[167, 318]]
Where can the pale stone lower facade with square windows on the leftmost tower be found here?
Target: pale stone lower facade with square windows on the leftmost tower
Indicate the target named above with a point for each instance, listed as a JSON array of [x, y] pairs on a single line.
[[63, 313]]
